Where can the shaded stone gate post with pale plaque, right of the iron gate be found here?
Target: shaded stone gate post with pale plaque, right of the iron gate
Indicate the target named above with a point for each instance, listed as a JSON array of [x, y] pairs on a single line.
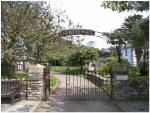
[[120, 81]]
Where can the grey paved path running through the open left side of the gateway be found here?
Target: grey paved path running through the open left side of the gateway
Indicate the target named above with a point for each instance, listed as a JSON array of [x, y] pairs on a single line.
[[58, 103]]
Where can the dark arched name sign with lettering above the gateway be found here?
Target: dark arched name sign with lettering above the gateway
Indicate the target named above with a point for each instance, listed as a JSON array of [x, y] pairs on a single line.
[[76, 32]]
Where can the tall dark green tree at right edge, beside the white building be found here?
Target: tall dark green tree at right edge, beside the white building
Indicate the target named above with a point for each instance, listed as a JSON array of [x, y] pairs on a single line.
[[138, 36]]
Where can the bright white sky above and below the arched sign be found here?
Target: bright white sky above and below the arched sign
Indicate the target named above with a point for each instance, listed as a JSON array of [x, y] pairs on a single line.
[[91, 15]]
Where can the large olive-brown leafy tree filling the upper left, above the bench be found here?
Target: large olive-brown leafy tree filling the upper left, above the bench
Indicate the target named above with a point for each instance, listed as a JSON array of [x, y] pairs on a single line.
[[30, 28]]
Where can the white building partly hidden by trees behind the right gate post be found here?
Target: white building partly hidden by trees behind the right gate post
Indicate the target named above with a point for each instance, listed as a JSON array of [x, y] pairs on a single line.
[[128, 53]]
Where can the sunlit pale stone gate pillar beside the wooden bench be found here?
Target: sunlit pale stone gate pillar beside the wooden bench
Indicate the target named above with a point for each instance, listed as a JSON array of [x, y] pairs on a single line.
[[33, 87]]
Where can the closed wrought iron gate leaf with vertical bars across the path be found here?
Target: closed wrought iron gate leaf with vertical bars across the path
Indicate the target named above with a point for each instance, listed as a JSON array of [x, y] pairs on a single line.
[[87, 86]]
